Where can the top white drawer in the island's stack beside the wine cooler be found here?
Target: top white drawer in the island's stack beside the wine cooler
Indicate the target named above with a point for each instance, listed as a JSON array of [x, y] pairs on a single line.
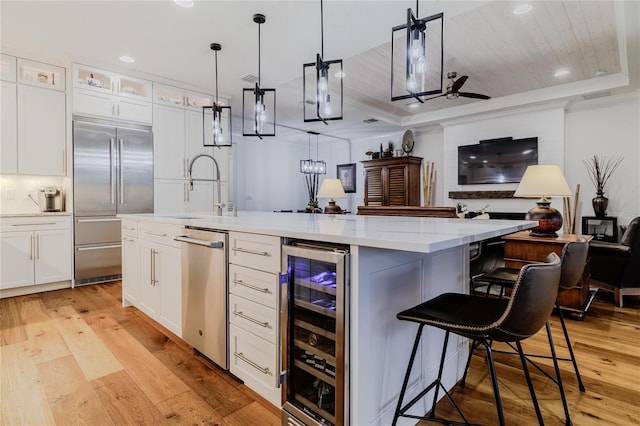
[[255, 251]]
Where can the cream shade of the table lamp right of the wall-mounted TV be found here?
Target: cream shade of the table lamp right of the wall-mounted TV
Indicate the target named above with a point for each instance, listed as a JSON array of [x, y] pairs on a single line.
[[543, 180]]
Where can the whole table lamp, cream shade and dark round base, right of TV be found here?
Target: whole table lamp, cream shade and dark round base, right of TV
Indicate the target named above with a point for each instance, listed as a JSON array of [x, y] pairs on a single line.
[[544, 180]]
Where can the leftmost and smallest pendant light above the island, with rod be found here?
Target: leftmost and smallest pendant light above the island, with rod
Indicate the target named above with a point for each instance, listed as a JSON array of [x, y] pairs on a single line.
[[218, 121]]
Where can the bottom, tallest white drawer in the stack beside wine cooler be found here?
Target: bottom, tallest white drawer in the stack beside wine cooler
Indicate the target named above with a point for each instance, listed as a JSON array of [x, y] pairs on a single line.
[[253, 360]]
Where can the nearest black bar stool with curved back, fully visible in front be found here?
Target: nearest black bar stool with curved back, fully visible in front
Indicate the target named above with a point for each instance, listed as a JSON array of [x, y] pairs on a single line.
[[484, 320]]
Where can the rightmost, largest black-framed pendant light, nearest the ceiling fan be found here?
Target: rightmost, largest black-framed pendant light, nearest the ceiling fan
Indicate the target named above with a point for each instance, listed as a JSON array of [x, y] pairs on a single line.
[[416, 67]]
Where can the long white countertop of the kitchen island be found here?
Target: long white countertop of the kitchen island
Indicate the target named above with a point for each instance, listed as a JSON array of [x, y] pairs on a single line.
[[415, 234]]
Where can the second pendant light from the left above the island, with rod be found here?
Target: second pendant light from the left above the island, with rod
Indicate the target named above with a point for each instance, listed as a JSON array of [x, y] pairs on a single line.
[[258, 104]]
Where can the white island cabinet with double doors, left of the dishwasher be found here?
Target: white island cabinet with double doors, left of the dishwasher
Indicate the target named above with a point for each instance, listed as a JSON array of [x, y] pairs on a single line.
[[158, 291]]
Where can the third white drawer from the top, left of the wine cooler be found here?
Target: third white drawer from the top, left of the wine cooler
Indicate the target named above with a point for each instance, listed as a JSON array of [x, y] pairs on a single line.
[[253, 317]]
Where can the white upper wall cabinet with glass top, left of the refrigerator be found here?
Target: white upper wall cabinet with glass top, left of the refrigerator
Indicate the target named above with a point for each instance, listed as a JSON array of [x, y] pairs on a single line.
[[33, 118]]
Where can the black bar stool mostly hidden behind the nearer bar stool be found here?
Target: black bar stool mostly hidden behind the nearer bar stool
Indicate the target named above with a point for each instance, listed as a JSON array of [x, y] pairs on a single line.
[[574, 258]]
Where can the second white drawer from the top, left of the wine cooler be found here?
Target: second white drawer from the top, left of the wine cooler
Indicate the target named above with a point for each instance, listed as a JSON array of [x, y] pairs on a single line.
[[260, 287]]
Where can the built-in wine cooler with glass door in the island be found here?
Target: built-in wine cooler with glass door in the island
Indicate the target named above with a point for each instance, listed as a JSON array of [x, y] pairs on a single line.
[[314, 334]]
